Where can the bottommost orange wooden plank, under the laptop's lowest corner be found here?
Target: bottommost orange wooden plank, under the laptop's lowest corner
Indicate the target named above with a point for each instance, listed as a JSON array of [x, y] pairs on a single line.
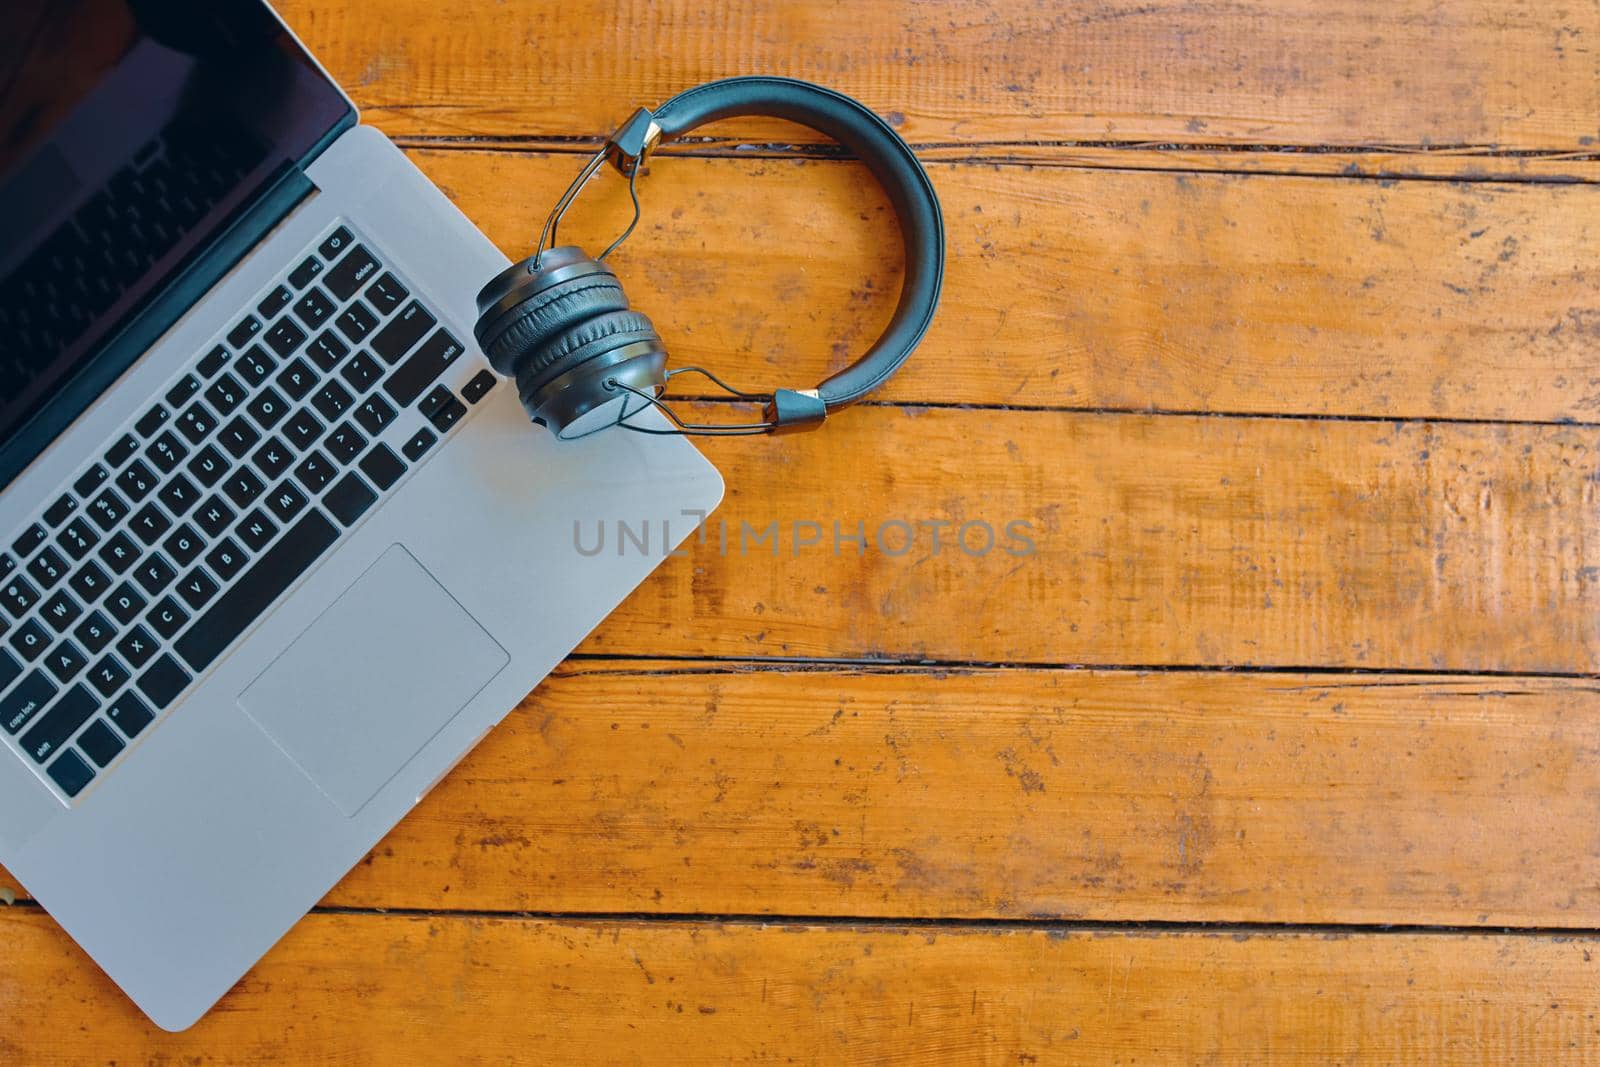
[[497, 991]]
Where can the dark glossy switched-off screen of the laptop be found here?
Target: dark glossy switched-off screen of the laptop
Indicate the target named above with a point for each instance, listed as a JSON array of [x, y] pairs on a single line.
[[132, 132]]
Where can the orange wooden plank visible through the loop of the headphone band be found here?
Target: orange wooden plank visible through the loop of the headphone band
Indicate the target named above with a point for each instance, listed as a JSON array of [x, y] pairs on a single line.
[[1106, 290]]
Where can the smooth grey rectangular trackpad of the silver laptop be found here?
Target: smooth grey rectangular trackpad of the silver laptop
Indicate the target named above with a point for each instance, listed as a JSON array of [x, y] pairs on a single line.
[[374, 679]]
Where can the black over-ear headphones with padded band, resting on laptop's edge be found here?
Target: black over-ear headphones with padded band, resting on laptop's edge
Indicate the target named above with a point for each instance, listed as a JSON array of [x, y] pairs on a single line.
[[585, 361]]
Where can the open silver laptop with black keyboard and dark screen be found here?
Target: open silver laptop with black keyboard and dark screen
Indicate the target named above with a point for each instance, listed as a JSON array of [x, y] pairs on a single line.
[[276, 546]]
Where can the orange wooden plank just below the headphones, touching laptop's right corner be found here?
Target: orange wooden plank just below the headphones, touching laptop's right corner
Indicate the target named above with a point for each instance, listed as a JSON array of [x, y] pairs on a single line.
[[1156, 541]]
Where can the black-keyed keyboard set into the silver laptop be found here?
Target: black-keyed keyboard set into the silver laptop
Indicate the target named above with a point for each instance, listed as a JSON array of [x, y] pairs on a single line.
[[148, 565]]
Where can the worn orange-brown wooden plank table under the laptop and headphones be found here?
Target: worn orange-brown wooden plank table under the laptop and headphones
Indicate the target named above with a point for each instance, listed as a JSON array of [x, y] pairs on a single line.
[[1278, 322]]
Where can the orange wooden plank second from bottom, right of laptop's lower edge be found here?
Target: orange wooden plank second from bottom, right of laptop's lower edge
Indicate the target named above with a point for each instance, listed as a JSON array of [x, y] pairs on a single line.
[[1018, 794]]
